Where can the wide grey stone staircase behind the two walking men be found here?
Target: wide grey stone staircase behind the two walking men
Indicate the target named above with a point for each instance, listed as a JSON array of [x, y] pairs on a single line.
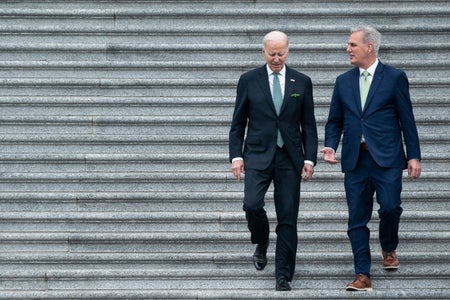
[[114, 173]]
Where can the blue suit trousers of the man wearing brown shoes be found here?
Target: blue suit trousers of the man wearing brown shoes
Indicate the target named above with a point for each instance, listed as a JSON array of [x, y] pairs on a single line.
[[360, 185]]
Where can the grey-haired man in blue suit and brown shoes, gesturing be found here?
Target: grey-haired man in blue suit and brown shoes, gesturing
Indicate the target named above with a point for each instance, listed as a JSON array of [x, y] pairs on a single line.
[[373, 157]]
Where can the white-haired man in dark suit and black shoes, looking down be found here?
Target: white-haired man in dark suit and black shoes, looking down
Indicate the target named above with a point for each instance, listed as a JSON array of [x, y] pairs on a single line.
[[275, 104]]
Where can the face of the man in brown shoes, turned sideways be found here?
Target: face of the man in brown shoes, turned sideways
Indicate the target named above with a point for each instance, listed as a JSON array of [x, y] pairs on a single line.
[[360, 53]]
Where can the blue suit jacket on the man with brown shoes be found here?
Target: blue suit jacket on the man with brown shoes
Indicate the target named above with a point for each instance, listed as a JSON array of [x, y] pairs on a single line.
[[387, 116]]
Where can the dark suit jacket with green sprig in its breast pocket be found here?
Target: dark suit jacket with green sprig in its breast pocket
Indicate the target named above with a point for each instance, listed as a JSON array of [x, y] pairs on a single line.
[[255, 110]]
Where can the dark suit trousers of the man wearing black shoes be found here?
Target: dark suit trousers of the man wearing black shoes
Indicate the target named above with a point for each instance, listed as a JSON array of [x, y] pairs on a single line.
[[286, 182]]
